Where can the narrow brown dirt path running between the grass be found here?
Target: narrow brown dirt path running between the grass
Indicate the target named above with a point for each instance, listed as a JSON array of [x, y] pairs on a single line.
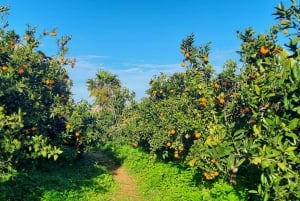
[[127, 185]]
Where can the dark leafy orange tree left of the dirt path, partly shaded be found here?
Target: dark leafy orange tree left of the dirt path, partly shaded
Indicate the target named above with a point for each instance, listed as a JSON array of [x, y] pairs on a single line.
[[35, 99]]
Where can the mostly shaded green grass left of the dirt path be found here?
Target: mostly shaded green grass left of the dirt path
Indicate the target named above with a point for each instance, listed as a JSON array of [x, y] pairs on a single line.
[[83, 179]]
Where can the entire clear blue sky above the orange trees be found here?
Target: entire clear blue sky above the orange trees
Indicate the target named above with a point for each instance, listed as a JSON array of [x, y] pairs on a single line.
[[137, 39]]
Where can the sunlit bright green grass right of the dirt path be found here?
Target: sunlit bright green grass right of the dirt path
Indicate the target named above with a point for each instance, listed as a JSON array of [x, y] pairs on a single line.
[[159, 181]]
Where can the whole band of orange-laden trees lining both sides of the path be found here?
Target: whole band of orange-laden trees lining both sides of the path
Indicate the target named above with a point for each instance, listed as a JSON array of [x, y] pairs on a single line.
[[238, 128]]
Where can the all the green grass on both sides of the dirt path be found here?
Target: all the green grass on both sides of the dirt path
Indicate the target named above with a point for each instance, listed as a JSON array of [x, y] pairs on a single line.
[[87, 179]]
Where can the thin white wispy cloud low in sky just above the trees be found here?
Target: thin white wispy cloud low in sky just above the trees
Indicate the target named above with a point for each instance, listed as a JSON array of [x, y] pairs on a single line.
[[133, 75]]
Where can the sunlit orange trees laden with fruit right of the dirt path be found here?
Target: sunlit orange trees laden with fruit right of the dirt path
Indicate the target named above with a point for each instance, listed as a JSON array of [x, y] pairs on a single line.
[[239, 125]]
